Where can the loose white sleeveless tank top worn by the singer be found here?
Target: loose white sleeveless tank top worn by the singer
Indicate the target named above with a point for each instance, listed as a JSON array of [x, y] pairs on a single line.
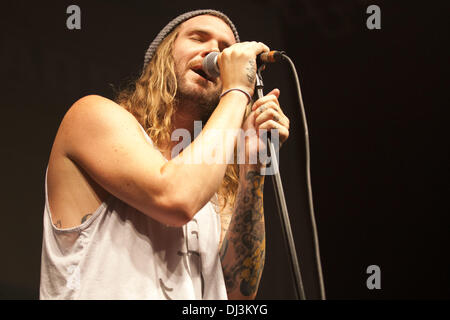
[[120, 253]]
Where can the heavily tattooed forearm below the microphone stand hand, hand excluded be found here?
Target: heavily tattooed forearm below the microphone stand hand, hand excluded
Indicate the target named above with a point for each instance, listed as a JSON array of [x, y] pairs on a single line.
[[243, 250]]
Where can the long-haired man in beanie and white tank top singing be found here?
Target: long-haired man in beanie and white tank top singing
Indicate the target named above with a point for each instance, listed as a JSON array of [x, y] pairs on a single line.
[[124, 217]]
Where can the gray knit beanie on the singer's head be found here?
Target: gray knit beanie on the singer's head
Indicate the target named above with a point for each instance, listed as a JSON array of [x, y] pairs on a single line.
[[177, 21]]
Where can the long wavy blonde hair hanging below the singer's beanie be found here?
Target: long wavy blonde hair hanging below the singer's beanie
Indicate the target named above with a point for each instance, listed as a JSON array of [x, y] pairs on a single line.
[[151, 99]]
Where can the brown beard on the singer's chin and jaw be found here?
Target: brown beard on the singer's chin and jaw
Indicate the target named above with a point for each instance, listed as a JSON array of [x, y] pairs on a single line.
[[199, 101]]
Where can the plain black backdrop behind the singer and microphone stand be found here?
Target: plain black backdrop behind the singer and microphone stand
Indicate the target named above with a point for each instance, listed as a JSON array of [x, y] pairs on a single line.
[[376, 104]]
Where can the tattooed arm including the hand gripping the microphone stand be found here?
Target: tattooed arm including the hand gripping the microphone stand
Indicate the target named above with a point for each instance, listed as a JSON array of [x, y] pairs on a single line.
[[242, 251]]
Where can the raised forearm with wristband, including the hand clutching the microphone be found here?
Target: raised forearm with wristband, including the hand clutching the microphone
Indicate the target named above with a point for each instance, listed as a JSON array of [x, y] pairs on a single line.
[[198, 183]]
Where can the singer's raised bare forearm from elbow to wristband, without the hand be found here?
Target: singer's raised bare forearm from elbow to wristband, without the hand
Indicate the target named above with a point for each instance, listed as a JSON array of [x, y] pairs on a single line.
[[197, 172]]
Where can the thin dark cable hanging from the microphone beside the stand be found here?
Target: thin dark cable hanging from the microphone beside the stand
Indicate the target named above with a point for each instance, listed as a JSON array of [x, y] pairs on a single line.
[[308, 178]]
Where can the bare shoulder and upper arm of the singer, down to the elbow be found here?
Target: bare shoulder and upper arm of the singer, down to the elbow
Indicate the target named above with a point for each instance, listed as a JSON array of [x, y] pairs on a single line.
[[106, 142]]
